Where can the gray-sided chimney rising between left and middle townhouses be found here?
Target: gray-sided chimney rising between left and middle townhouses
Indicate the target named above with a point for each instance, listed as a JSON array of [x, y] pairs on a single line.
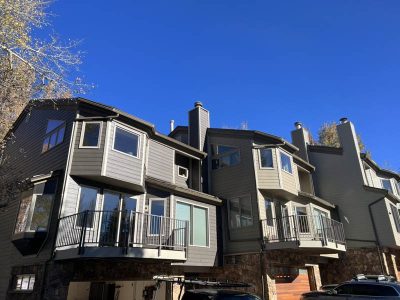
[[199, 121]]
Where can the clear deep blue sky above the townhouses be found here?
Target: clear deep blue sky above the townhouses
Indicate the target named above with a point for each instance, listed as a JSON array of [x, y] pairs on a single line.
[[269, 63]]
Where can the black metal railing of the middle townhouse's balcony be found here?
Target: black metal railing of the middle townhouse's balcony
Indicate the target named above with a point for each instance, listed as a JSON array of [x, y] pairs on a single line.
[[303, 228]]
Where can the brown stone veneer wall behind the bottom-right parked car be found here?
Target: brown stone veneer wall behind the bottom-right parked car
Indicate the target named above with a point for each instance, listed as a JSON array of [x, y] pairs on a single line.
[[372, 260]]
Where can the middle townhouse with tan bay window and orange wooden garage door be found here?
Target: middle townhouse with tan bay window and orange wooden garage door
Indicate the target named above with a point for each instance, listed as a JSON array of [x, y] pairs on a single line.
[[277, 231]]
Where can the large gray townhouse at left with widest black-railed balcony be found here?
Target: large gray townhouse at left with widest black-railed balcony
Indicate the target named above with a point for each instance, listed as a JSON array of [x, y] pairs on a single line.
[[109, 203]]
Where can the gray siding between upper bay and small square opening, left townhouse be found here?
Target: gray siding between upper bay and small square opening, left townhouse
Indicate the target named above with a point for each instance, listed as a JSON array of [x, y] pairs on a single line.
[[161, 161]]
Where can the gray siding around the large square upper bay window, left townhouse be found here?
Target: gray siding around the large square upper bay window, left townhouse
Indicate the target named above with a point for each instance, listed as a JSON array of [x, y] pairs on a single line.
[[124, 167]]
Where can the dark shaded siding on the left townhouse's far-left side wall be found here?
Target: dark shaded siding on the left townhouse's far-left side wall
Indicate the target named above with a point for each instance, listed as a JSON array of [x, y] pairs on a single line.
[[30, 161]]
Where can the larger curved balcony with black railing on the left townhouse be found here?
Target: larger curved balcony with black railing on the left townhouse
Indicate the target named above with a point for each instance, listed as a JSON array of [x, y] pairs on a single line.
[[121, 234]]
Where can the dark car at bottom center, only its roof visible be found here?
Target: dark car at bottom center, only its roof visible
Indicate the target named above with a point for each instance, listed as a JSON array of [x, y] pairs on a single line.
[[215, 294]]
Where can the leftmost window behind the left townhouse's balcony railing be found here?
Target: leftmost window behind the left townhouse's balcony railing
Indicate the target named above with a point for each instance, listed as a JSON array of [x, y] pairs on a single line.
[[87, 202]]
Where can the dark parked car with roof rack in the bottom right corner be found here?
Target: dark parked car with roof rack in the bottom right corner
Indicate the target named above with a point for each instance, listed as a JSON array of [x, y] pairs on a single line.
[[358, 290]]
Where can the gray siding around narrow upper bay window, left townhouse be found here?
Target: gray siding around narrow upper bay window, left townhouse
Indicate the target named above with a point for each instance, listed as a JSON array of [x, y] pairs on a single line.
[[87, 161]]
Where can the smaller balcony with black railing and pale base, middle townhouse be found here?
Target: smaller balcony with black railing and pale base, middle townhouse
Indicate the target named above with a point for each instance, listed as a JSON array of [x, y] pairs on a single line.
[[304, 232]]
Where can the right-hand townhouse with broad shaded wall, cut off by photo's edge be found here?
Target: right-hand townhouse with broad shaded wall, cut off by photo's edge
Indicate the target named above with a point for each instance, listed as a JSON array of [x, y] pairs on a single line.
[[367, 197]]
